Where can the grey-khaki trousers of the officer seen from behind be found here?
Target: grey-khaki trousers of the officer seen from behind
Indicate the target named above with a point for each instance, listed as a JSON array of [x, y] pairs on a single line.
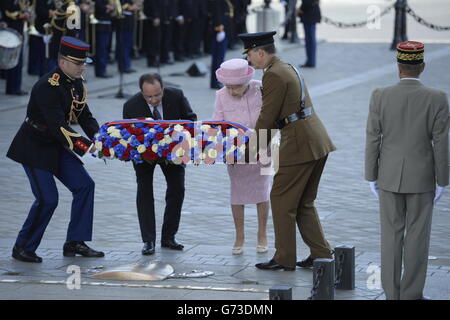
[[405, 237]]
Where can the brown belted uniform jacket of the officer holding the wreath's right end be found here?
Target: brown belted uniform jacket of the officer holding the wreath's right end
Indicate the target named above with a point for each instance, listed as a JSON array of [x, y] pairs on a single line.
[[303, 140]]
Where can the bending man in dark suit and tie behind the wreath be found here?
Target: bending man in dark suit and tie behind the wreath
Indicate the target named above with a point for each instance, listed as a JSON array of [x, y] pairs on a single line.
[[158, 102]]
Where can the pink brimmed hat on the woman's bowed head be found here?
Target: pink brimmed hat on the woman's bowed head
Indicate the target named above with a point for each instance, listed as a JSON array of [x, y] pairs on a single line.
[[235, 72]]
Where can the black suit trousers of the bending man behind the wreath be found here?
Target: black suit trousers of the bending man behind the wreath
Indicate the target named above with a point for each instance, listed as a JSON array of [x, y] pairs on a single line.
[[174, 175]]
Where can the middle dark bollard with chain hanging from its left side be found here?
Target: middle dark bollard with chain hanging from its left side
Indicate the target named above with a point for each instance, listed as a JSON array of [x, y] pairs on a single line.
[[323, 280]]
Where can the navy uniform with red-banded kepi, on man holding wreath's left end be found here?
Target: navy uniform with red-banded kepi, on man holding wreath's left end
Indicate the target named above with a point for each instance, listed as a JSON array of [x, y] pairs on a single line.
[[46, 145]]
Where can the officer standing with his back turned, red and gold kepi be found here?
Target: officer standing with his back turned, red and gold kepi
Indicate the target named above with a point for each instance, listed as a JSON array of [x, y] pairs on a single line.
[[406, 156]]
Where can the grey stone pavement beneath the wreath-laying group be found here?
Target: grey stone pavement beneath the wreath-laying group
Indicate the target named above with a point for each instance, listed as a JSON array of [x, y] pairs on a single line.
[[340, 87]]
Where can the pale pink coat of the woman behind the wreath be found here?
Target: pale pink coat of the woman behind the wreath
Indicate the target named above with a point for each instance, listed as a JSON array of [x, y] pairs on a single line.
[[247, 184]]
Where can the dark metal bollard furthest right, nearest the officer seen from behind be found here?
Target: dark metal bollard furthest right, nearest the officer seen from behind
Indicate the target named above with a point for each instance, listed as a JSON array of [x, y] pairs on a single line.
[[345, 267]]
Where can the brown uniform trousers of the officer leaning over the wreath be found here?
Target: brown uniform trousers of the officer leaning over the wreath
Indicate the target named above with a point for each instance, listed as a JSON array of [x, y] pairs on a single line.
[[292, 199]]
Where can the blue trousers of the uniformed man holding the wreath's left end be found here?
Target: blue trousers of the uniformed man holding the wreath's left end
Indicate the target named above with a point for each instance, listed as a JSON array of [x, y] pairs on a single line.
[[73, 175]]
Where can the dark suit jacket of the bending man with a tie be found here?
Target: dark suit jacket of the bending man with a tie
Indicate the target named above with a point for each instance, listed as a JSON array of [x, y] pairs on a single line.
[[174, 103]]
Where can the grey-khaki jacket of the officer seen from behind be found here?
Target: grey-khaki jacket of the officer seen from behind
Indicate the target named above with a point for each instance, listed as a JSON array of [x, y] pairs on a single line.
[[407, 138]]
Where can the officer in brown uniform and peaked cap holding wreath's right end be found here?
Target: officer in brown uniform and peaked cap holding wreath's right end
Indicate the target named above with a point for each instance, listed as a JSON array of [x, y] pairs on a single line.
[[304, 148]]
